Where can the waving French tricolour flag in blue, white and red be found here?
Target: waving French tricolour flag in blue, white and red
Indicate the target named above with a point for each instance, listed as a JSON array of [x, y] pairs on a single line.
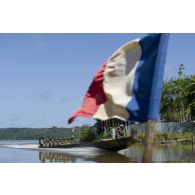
[[128, 86]]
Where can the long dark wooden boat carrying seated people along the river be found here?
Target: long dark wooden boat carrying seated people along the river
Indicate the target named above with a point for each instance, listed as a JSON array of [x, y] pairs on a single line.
[[106, 144]]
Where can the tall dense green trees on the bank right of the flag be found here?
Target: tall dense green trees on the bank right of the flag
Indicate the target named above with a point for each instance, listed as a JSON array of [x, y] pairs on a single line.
[[178, 98]]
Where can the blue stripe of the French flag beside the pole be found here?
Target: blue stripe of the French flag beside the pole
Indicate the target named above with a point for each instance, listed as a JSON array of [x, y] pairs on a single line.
[[147, 86]]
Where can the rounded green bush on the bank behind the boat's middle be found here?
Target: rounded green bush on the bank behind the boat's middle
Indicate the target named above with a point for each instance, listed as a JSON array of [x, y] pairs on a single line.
[[86, 133]]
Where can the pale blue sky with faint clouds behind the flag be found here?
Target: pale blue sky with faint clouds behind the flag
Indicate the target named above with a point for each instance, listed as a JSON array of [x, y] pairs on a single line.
[[44, 77]]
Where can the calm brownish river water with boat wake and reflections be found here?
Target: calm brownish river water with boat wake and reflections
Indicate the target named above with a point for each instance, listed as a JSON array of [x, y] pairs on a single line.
[[27, 151]]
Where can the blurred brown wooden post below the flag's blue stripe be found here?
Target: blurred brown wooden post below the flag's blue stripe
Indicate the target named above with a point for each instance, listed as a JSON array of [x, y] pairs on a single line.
[[148, 142]]
